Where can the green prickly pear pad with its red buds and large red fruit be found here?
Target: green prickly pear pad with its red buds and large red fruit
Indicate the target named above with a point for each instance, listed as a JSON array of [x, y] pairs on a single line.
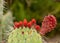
[[28, 32]]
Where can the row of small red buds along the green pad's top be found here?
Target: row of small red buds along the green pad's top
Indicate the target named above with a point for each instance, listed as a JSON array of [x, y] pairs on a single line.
[[25, 23]]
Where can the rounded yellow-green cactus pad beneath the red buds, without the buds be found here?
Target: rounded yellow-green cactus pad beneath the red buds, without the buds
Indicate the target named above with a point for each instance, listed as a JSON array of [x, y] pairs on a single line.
[[24, 35]]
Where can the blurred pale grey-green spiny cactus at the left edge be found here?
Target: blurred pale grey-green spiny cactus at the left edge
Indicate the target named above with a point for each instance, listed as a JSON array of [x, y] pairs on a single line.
[[5, 23]]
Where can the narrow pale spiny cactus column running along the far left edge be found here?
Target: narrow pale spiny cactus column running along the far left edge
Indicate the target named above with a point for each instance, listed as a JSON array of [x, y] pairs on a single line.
[[1, 15]]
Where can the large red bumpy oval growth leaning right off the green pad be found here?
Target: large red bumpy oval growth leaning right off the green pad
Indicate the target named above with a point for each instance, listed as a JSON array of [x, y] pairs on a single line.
[[48, 24]]
